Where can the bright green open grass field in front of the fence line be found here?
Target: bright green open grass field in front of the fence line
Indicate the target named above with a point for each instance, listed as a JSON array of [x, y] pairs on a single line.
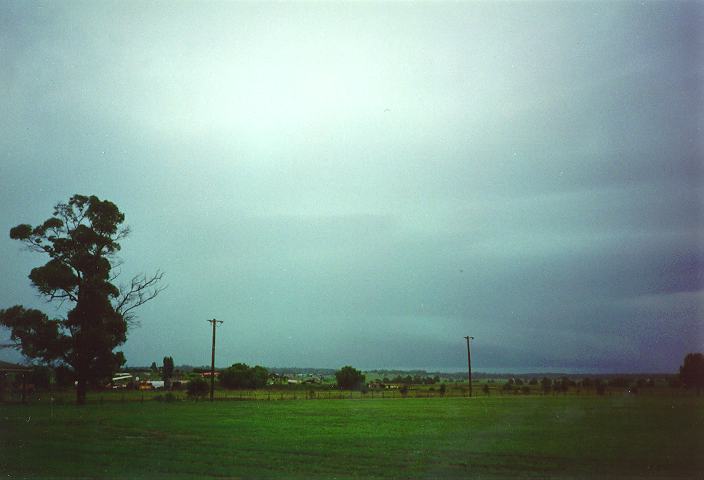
[[559, 437]]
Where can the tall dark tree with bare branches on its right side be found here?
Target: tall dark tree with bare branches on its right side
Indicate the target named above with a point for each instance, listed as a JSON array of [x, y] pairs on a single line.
[[81, 240]]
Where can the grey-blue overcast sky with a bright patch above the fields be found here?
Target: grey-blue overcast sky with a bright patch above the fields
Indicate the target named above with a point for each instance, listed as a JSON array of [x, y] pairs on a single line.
[[367, 183]]
